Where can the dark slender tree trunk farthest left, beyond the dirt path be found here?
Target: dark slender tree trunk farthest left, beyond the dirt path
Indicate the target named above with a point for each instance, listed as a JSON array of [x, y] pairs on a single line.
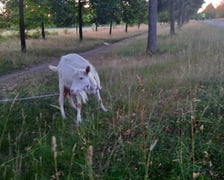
[[22, 26]]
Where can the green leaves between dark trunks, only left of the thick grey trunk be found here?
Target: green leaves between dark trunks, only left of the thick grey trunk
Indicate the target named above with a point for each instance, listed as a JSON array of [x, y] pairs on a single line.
[[64, 13]]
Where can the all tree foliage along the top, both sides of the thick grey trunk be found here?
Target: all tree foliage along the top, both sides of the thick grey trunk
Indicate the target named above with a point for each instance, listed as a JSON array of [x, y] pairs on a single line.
[[63, 13]]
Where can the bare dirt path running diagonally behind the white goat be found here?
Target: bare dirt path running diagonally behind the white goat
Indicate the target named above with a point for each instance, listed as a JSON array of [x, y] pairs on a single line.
[[10, 82]]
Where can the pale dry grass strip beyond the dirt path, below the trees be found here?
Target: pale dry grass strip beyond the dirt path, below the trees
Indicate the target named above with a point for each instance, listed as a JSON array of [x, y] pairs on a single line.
[[57, 43]]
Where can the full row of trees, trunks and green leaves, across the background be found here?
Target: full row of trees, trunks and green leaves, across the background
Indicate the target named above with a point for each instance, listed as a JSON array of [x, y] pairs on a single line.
[[70, 13]]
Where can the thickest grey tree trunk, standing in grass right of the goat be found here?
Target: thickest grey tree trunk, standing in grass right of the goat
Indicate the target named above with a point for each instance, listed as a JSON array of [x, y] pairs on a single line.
[[152, 27]]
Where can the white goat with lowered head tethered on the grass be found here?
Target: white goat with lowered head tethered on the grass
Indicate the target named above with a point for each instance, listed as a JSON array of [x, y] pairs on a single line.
[[77, 77]]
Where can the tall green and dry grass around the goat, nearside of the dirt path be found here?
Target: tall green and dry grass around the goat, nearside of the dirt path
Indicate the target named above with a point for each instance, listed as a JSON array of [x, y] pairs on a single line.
[[165, 119]]
